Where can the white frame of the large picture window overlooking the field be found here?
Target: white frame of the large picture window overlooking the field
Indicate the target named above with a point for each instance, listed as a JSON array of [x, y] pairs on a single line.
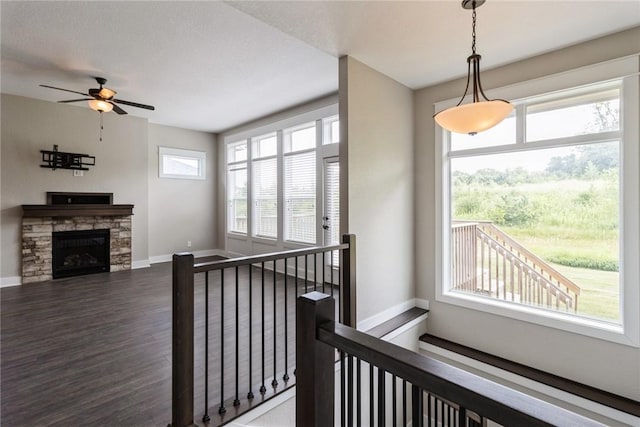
[[628, 333]]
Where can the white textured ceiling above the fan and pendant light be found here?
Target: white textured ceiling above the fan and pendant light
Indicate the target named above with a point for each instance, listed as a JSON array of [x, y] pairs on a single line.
[[213, 65]]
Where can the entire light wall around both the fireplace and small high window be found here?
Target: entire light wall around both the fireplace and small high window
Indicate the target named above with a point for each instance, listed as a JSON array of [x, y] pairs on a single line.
[[167, 212]]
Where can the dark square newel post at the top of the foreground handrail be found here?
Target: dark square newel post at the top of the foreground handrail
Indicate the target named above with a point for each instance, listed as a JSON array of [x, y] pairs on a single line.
[[315, 375]]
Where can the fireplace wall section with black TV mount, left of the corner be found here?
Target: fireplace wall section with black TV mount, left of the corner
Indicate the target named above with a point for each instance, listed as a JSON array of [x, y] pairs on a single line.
[[30, 125]]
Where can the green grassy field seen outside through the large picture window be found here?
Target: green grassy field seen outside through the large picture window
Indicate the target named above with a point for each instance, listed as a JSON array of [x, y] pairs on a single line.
[[570, 223]]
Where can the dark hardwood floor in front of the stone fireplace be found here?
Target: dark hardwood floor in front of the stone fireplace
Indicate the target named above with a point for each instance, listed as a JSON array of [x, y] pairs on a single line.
[[96, 350]]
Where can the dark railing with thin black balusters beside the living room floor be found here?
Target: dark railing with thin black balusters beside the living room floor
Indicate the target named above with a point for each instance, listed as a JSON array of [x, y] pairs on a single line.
[[246, 302]]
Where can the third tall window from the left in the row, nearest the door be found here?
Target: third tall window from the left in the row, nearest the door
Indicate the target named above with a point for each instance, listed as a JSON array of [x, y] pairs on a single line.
[[300, 183]]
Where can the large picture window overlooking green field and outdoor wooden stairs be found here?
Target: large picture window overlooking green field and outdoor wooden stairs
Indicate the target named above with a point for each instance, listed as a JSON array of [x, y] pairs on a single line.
[[539, 214]]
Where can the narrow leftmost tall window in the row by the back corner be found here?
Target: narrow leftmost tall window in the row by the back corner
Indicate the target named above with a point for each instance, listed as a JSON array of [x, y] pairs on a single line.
[[237, 187]]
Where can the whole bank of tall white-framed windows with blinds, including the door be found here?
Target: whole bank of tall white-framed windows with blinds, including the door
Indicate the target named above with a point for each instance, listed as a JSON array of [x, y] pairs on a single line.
[[275, 190]]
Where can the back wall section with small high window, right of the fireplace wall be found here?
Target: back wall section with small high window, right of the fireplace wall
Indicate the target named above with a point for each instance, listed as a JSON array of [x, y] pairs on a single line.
[[181, 210]]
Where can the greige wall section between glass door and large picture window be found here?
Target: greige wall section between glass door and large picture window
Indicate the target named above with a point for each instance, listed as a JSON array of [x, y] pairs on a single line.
[[376, 184]]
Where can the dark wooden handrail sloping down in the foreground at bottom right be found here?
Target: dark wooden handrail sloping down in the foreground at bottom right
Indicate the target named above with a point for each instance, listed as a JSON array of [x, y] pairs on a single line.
[[486, 398]]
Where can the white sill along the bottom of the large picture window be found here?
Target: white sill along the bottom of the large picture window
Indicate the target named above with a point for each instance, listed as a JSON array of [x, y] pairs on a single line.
[[557, 320]]
